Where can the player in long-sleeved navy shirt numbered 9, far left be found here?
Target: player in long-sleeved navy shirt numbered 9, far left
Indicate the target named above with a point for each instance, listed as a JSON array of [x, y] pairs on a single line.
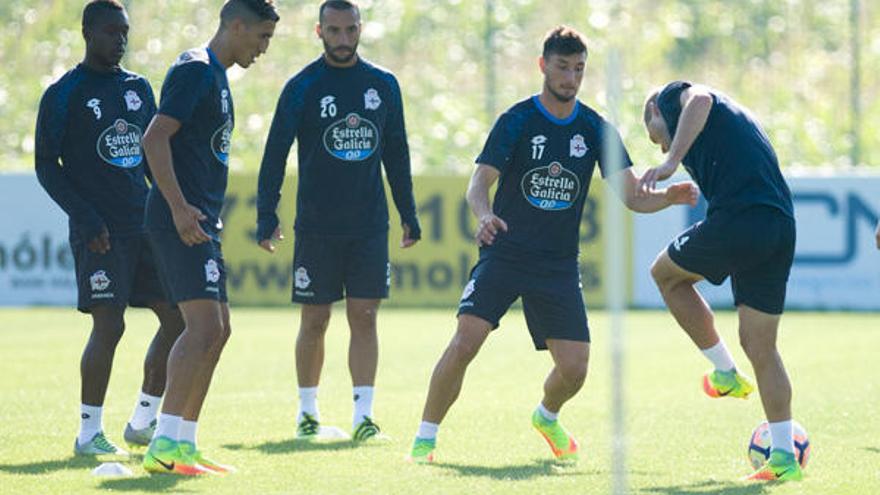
[[89, 160]]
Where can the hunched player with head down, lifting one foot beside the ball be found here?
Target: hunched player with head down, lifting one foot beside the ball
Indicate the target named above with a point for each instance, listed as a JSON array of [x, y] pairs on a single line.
[[748, 234]]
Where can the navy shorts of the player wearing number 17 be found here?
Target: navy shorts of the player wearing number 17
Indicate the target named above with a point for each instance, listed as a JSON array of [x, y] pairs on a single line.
[[553, 301]]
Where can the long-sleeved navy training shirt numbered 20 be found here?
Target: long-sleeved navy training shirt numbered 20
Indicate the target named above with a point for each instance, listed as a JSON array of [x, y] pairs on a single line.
[[347, 120]]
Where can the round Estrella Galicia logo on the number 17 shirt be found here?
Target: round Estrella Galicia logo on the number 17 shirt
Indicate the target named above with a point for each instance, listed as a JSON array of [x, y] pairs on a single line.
[[551, 188]]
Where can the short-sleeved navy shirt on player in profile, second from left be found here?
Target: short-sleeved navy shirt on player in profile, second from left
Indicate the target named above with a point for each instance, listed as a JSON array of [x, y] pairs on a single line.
[[196, 94]]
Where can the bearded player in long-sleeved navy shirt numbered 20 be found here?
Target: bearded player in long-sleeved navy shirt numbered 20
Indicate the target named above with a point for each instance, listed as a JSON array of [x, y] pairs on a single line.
[[347, 115]]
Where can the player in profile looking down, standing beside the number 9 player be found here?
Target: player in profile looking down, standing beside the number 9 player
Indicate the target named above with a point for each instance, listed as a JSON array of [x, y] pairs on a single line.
[[188, 144]]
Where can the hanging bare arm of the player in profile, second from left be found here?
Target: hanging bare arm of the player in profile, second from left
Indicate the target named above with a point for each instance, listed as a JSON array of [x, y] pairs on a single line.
[[157, 147]]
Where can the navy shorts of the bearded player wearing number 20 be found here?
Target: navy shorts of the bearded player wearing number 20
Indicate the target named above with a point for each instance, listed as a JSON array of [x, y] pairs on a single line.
[[328, 268]]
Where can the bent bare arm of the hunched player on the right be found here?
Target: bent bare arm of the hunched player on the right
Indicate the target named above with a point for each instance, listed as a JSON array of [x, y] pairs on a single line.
[[696, 103]]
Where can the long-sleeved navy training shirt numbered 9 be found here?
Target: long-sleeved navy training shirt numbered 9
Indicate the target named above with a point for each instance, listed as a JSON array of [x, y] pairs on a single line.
[[88, 149]]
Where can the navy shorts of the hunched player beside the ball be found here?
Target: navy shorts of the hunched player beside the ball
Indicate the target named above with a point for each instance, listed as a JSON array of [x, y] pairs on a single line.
[[754, 247]]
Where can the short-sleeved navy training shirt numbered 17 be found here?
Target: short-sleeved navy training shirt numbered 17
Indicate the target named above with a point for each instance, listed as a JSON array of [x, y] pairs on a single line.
[[546, 165]]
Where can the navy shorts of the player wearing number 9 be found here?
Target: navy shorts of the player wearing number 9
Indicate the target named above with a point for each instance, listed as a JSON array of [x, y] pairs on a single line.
[[124, 276]]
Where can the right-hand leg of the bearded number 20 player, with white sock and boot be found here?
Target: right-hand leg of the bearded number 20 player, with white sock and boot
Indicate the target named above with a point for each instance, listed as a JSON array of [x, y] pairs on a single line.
[[363, 359]]
